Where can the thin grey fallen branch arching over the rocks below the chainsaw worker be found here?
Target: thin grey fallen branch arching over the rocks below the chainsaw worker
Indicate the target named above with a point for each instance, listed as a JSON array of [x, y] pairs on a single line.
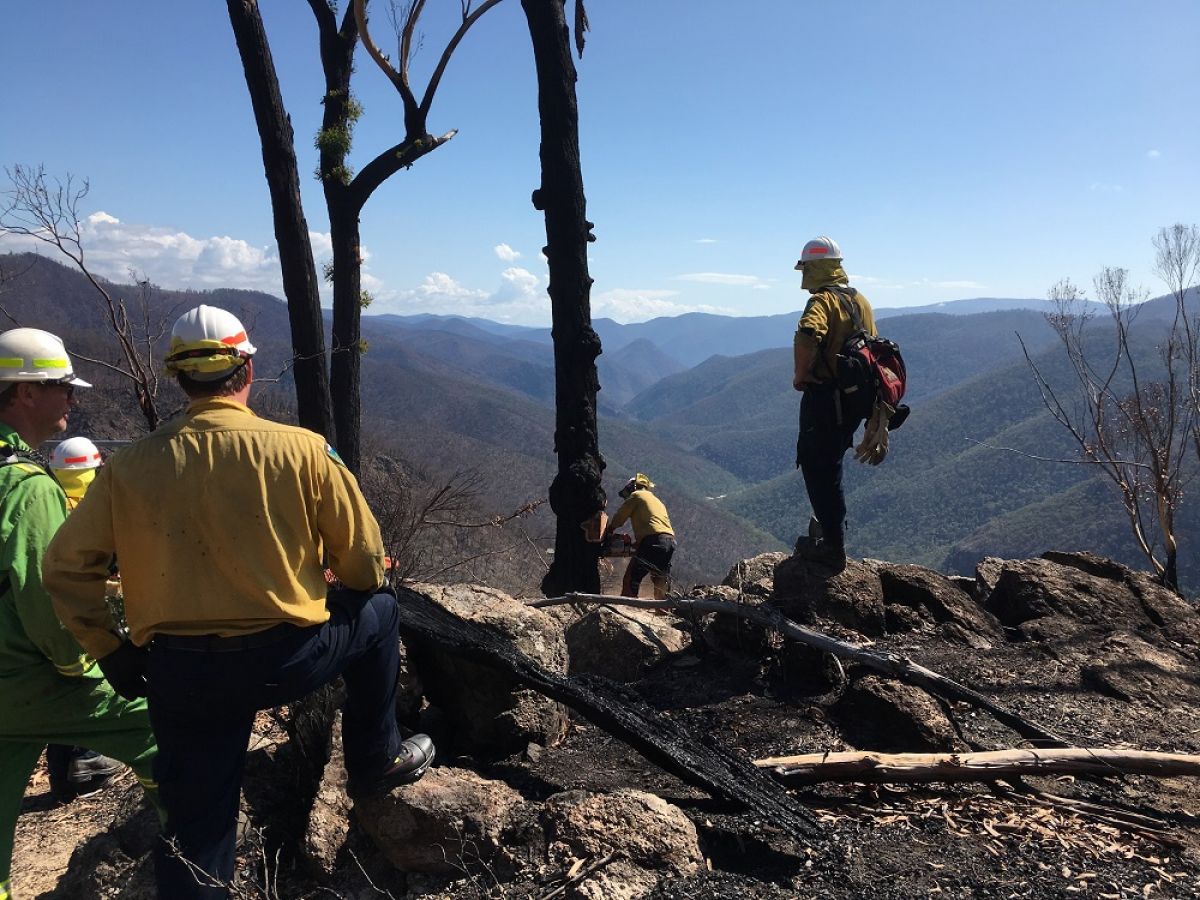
[[891, 664]]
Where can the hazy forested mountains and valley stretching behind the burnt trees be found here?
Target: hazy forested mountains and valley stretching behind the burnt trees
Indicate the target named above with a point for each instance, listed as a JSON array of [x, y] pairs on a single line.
[[704, 405]]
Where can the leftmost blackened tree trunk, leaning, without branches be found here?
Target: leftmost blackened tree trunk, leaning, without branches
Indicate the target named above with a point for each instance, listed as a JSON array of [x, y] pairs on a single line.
[[314, 404]]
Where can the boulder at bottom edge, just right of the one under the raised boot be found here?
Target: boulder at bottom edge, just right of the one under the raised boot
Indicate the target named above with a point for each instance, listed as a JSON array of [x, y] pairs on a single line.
[[650, 838]]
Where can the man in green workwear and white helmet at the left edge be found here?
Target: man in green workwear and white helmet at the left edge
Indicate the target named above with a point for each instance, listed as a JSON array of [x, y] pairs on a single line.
[[50, 691]]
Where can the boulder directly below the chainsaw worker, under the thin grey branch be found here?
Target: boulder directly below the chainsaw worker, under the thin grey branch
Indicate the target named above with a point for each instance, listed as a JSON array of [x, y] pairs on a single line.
[[621, 643]]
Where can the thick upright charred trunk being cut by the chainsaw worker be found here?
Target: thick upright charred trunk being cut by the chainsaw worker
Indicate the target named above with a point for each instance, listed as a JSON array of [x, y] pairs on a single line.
[[575, 494]]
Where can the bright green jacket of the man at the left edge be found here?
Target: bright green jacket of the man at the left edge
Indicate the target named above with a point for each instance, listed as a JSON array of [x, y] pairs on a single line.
[[32, 509]]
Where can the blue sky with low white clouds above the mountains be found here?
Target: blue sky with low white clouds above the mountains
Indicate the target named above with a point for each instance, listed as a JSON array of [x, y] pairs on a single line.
[[953, 149]]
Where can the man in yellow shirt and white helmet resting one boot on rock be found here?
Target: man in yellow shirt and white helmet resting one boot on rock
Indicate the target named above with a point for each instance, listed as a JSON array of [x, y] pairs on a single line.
[[224, 524]]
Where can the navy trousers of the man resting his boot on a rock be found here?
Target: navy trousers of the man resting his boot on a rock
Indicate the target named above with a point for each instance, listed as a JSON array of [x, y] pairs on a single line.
[[203, 700]]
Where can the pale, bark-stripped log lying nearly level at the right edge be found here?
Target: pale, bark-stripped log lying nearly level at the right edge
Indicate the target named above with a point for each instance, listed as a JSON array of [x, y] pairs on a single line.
[[873, 767]]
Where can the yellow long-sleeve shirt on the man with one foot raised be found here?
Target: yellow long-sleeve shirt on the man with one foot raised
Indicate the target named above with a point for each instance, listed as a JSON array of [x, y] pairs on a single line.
[[221, 523]]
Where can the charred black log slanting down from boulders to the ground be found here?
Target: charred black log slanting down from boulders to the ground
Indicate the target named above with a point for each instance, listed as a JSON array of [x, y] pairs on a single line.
[[700, 761]]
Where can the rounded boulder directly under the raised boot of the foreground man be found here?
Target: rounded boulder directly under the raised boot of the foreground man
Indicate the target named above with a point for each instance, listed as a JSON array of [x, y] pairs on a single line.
[[451, 821]]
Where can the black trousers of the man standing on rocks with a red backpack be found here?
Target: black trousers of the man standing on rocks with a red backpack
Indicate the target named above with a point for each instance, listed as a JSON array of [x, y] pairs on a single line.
[[827, 433]]
